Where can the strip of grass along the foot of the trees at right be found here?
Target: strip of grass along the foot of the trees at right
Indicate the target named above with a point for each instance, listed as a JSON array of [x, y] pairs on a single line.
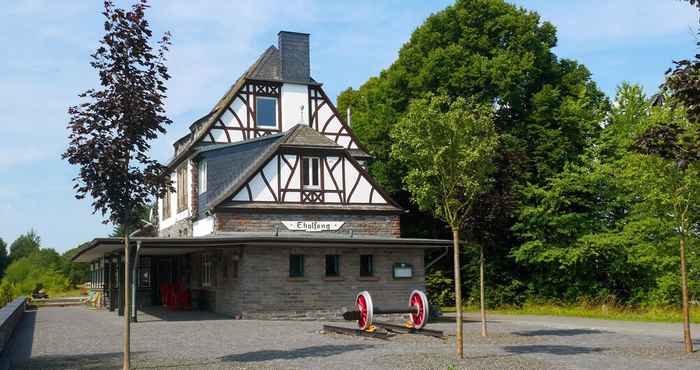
[[655, 314]]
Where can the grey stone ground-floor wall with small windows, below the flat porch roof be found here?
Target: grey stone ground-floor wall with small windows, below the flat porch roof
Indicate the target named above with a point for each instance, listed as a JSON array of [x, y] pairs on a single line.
[[264, 290]]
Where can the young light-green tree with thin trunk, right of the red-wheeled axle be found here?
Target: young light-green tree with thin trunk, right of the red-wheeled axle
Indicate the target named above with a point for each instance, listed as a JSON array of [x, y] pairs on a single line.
[[449, 148]]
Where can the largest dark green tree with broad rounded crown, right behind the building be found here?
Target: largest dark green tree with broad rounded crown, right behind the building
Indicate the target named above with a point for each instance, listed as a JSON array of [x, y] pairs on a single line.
[[547, 109]]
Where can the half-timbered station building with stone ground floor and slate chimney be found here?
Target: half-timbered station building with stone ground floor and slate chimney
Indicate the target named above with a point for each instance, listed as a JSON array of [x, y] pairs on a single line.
[[274, 212]]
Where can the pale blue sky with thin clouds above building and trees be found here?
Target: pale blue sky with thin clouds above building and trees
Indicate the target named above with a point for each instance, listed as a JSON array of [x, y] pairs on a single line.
[[47, 44]]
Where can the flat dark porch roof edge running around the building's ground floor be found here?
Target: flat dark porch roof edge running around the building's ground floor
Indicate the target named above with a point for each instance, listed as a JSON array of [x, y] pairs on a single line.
[[173, 246]]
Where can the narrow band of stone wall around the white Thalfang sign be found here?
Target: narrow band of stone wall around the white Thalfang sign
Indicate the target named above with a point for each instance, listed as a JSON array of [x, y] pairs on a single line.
[[261, 221]]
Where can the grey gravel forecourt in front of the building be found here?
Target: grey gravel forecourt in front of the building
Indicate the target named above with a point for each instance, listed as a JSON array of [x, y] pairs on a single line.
[[75, 337]]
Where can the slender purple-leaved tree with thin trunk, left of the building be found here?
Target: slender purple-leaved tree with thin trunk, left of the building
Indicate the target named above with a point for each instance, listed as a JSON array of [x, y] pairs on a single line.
[[111, 130]]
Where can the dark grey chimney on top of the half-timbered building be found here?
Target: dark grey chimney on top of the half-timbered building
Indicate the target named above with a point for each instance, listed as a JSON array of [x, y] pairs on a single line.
[[294, 56]]
